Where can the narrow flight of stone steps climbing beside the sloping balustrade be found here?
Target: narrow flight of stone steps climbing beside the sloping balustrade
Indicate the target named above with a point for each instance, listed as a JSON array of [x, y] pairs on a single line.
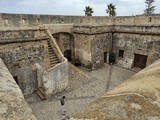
[[52, 56]]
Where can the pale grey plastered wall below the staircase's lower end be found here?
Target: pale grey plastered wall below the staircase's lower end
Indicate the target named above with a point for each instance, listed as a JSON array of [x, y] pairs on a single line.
[[56, 79]]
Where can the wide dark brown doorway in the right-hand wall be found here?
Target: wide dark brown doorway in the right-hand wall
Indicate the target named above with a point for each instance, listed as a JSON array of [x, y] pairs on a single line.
[[140, 61]]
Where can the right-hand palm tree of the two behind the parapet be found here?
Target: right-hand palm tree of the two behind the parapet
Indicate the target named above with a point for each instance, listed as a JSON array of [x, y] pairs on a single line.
[[111, 9]]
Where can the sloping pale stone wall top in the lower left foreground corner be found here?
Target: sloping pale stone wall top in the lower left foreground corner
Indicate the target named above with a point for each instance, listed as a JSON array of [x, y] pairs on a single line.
[[12, 103]]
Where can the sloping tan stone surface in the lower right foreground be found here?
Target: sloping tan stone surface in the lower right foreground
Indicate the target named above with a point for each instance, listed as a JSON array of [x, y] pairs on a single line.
[[136, 98]]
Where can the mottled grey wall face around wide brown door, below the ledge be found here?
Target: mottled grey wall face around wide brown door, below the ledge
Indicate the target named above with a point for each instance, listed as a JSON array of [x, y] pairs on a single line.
[[136, 44]]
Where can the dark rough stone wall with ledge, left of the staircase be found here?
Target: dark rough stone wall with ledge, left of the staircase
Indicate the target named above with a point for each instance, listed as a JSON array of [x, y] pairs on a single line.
[[20, 50]]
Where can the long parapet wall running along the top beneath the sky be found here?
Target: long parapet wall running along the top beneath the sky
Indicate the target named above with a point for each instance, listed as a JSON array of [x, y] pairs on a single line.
[[12, 20]]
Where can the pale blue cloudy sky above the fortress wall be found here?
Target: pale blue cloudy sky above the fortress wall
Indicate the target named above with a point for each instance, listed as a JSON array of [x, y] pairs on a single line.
[[74, 7]]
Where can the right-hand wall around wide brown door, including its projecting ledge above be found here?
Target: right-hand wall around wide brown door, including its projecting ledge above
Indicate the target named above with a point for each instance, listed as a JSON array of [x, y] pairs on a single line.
[[143, 40]]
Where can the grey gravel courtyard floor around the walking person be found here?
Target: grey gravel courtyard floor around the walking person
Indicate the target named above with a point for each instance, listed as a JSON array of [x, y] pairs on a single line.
[[79, 95]]
